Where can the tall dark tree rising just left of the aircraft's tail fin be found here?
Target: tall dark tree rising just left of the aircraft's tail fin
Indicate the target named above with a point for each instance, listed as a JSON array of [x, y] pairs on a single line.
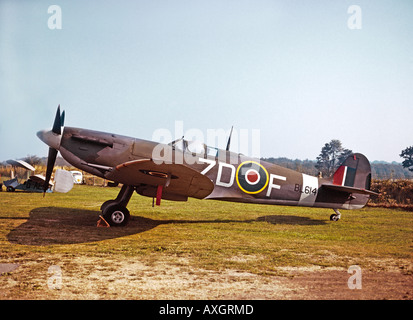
[[332, 154]]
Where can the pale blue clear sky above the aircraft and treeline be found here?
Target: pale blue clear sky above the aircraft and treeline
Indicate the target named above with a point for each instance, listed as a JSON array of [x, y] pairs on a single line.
[[293, 70]]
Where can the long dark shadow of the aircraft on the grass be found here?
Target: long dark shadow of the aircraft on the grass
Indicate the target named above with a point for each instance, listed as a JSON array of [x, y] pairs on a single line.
[[53, 225]]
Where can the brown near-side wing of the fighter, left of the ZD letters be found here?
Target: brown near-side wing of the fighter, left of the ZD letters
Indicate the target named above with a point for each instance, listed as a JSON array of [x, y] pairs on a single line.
[[176, 179]]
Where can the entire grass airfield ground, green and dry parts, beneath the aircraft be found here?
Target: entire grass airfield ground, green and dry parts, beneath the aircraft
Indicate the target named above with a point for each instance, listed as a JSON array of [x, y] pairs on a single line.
[[200, 249]]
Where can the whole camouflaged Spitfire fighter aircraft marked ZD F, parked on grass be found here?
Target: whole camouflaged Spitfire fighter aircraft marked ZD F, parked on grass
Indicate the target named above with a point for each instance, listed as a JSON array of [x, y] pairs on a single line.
[[183, 169]]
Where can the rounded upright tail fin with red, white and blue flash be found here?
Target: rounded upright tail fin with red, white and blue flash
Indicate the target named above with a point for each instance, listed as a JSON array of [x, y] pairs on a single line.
[[355, 172]]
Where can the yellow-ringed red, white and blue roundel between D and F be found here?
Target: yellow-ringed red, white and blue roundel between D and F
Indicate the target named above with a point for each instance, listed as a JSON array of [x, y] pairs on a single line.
[[251, 177]]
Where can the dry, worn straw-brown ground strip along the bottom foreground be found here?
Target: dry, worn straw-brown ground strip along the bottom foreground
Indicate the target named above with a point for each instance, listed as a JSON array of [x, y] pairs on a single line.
[[86, 277]]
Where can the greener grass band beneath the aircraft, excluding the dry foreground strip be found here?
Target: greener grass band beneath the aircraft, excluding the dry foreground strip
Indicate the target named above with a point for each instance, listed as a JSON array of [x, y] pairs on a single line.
[[210, 234]]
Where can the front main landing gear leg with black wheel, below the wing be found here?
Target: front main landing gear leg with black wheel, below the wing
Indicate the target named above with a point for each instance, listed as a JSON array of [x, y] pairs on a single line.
[[114, 211]]
